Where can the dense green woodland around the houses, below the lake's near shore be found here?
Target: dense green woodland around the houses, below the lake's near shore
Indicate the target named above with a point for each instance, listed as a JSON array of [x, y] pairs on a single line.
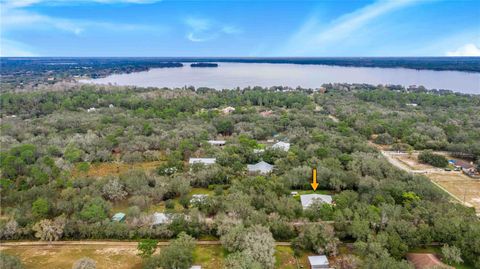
[[50, 142]]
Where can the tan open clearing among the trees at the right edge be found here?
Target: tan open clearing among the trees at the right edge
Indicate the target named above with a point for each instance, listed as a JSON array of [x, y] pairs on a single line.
[[461, 187]]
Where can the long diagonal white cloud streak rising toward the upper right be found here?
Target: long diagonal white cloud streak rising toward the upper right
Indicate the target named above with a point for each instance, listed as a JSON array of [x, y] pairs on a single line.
[[313, 36]]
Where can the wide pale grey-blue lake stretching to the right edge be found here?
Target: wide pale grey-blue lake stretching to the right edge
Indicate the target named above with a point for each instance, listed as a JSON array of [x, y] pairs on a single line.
[[232, 75]]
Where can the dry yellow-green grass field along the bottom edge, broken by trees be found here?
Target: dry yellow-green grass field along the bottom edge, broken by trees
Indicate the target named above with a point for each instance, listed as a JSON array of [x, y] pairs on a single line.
[[122, 255]]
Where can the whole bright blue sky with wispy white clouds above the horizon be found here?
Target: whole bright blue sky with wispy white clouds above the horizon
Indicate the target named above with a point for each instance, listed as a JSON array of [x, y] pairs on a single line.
[[239, 28]]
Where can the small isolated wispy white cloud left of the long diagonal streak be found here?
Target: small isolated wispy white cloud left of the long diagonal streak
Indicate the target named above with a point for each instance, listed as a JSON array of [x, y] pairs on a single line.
[[201, 29]]
